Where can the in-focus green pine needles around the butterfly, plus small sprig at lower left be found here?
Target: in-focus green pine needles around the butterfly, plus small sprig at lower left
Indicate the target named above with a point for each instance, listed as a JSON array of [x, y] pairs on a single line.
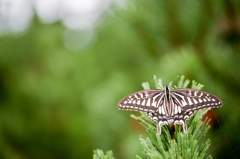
[[172, 144]]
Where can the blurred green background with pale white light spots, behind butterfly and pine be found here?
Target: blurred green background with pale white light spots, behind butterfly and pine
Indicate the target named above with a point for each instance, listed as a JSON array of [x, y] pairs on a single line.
[[65, 64]]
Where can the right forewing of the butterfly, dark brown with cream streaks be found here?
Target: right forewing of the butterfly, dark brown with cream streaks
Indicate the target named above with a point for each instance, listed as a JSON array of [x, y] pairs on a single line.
[[192, 99]]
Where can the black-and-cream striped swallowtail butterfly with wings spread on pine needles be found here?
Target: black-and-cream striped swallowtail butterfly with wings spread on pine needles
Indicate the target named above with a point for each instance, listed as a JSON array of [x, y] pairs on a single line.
[[169, 106]]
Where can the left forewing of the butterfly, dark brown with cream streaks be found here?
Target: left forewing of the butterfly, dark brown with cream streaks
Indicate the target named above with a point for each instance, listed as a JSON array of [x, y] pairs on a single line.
[[144, 101]]
